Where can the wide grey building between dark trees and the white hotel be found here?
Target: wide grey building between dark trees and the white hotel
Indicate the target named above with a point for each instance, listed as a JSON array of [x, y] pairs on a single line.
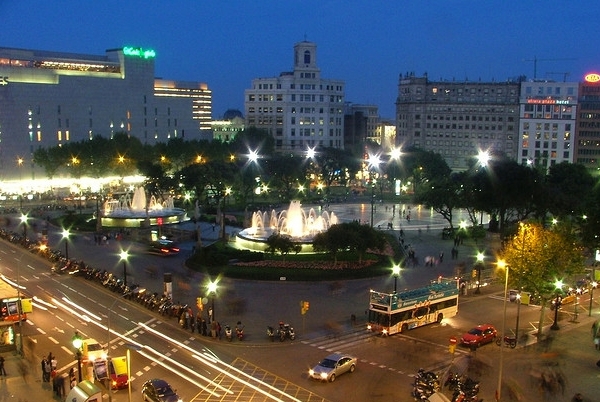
[[457, 119]]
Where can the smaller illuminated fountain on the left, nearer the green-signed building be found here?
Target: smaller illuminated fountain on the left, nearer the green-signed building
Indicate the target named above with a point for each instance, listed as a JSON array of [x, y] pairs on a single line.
[[137, 211]]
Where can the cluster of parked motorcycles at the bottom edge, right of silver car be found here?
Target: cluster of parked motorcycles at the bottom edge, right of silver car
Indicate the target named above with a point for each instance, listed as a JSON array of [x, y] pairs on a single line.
[[463, 388]]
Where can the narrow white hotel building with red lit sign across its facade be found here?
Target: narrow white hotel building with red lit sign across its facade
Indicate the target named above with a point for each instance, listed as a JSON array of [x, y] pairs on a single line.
[[547, 123]]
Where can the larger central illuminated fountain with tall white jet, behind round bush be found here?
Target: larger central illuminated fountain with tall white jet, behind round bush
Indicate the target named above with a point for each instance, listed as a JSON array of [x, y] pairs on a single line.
[[295, 222]]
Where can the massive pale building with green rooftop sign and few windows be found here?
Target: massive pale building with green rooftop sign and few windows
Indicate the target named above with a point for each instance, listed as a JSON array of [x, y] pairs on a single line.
[[50, 98]]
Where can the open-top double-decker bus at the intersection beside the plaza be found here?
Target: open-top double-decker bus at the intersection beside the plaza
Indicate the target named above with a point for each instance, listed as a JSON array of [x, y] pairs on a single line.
[[390, 313]]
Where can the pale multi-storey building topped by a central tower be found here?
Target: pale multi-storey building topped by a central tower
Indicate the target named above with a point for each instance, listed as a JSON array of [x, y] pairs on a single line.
[[299, 108]]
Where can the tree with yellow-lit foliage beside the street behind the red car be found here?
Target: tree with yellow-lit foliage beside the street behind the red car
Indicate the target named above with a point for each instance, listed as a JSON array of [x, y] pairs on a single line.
[[537, 257]]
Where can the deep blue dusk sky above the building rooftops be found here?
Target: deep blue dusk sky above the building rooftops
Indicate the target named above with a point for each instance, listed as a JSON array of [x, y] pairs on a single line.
[[367, 44]]
